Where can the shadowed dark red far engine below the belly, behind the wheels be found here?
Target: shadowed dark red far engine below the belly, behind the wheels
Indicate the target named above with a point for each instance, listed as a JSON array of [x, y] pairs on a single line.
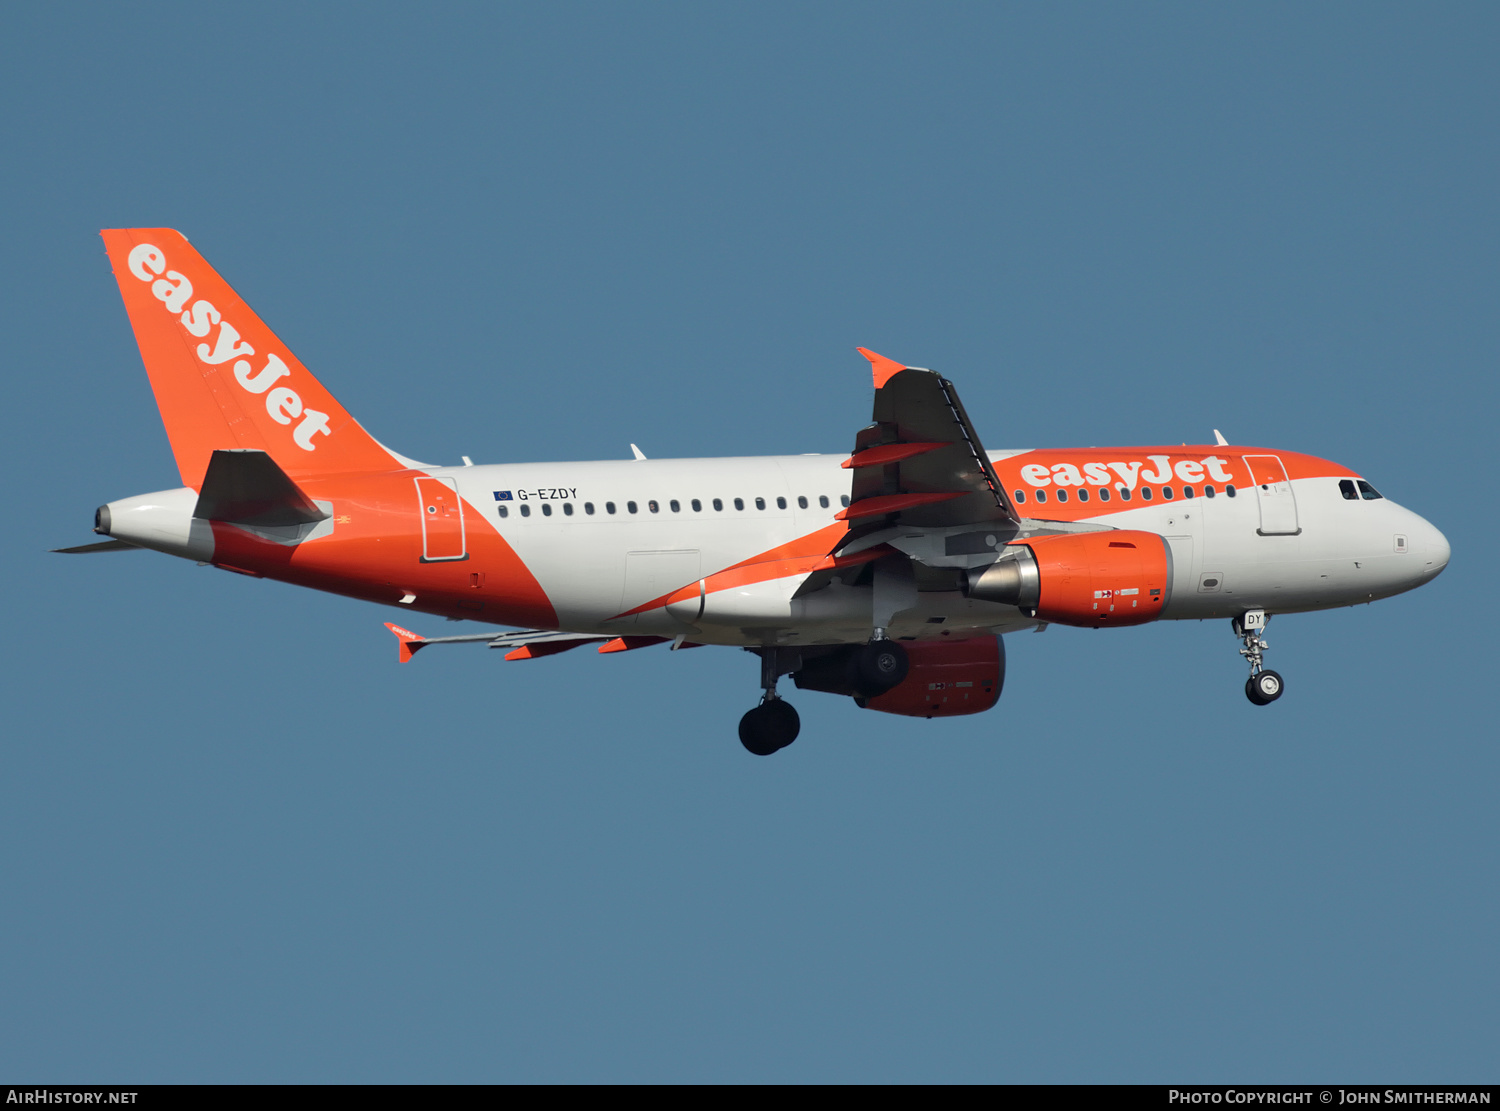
[[944, 678]]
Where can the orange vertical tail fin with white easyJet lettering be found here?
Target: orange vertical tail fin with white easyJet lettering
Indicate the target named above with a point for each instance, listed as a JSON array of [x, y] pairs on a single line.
[[221, 377]]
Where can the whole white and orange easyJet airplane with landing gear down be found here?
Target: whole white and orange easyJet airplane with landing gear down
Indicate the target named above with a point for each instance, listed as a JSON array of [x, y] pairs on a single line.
[[889, 575]]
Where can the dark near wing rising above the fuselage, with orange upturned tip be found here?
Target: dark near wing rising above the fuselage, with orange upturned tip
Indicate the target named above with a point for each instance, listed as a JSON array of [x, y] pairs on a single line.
[[920, 464]]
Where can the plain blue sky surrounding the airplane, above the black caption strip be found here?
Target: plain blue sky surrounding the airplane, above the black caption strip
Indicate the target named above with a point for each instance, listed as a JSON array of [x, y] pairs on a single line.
[[239, 843]]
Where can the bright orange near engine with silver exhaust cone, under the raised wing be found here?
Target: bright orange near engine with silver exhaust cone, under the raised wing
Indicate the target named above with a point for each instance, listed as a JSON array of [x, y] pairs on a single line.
[[1094, 579]]
